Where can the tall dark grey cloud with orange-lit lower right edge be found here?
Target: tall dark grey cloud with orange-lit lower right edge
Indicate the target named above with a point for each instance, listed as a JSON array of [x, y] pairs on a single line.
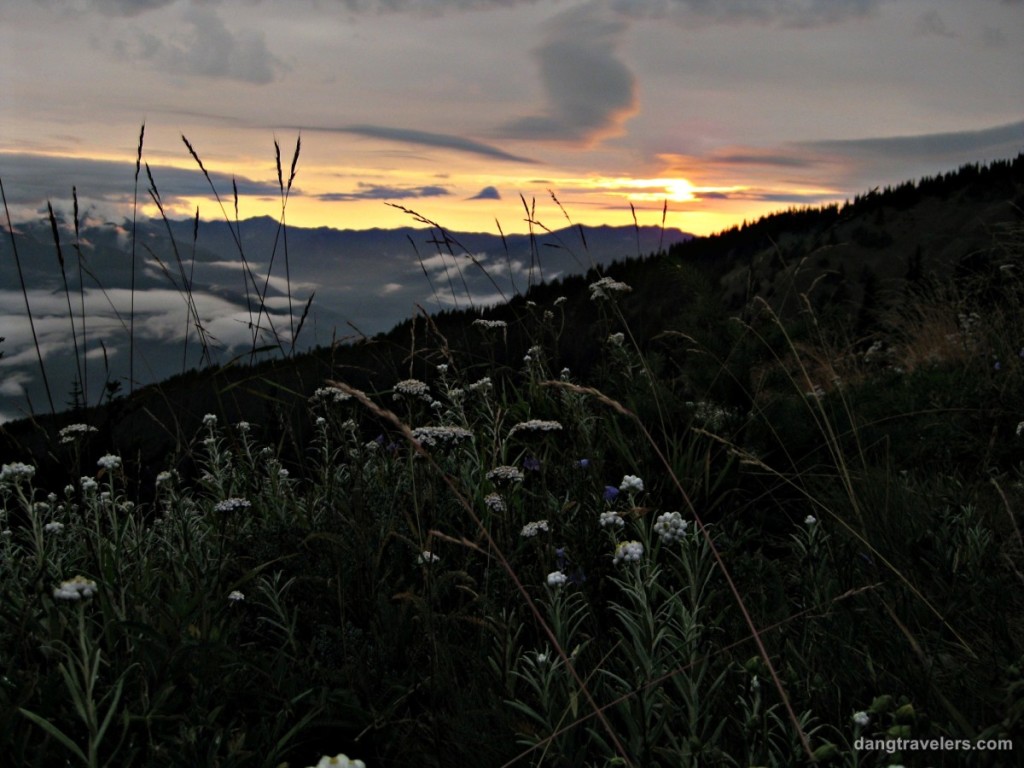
[[589, 92]]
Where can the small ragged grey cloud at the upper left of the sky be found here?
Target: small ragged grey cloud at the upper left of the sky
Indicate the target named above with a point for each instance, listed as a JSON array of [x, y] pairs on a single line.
[[209, 50]]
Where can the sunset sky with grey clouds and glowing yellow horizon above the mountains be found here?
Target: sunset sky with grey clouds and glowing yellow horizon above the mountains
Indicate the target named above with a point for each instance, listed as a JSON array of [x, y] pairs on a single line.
[[714, 111]]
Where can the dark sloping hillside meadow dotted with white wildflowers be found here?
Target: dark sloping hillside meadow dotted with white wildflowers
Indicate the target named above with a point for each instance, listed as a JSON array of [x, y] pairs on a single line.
[[623, 521]]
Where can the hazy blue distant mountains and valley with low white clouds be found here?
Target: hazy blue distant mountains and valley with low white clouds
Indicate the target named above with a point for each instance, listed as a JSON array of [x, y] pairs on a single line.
[[249, 280]]
